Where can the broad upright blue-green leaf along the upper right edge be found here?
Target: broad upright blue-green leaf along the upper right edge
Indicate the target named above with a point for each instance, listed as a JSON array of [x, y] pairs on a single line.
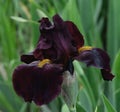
[[113, 32]]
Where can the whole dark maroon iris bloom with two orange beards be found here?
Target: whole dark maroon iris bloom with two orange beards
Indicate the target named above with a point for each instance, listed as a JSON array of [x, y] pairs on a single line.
[[40, 79]]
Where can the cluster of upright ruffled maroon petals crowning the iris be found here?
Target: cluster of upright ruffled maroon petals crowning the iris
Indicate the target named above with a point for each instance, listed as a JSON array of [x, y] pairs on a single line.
[[59, 40]]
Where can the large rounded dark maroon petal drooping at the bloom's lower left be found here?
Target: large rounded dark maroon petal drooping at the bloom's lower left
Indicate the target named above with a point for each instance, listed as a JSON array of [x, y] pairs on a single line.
[[40, 85]]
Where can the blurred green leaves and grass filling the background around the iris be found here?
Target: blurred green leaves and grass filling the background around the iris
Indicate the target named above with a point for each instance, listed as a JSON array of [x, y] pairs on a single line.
[[98, 21]]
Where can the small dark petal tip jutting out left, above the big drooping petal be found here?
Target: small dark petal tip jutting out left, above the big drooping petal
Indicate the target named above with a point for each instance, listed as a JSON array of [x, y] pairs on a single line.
[[28, 58]]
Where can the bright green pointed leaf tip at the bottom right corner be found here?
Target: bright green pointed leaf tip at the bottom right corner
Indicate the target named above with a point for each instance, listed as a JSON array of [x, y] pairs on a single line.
[[108, 105]]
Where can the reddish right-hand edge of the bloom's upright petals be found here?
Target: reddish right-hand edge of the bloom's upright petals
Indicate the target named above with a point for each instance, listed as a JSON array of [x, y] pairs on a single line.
[[77, 36]]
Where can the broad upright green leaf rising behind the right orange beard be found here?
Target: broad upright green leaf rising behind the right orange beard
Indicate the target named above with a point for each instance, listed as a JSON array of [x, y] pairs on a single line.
[[88, 22]]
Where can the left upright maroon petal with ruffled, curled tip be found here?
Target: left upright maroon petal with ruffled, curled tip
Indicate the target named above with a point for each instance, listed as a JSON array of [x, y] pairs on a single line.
[[45, 42]]
